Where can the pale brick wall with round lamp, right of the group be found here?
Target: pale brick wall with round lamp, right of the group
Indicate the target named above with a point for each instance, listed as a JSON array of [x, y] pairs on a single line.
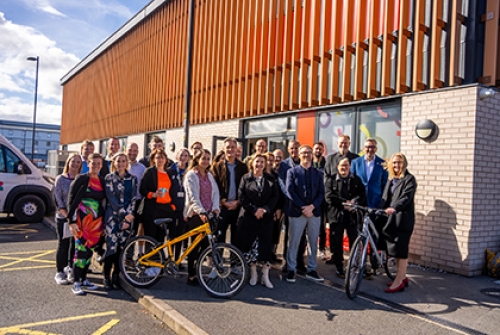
[[455, 221]]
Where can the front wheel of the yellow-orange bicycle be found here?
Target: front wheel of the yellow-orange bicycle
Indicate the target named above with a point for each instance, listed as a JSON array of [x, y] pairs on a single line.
[[222, 274]]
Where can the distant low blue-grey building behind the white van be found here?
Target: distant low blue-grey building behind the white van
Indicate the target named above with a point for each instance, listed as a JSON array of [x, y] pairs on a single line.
[[21, 134]]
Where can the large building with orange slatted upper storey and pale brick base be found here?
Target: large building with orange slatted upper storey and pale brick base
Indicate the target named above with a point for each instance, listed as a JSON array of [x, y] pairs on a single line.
[[312, 70]]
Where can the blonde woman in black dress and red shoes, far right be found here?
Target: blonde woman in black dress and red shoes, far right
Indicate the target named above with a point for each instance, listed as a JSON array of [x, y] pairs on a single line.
[[399, 204]]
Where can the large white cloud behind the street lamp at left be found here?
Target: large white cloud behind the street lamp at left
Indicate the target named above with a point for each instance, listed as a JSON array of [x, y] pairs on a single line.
[[17, 75]]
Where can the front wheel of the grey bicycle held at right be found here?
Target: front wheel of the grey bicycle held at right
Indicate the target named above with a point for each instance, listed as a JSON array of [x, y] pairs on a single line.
[[355, 268]]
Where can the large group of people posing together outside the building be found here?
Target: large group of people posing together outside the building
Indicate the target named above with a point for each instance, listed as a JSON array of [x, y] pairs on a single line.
[[101, 199]]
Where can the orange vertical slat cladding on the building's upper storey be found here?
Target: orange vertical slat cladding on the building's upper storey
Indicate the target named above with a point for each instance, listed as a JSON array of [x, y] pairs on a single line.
[[256, 57]]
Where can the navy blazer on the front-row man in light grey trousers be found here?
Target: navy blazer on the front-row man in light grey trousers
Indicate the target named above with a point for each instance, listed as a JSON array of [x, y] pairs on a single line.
[[296, 191]]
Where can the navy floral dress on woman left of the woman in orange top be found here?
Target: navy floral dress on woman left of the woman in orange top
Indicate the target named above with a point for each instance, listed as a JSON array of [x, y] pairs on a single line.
[[121, 195]]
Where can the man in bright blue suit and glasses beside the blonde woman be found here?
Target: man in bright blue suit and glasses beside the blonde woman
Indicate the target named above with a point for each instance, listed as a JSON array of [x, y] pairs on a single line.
[[370, 168]]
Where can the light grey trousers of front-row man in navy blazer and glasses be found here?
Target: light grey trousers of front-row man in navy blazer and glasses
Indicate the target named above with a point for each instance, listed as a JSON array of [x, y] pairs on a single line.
[[295, 230]]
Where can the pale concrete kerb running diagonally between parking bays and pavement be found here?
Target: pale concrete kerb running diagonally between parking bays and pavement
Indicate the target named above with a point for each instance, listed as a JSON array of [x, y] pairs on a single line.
[[164, 312]]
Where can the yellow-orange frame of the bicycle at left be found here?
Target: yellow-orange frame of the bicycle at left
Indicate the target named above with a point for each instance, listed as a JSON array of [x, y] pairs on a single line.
[[200, 232]]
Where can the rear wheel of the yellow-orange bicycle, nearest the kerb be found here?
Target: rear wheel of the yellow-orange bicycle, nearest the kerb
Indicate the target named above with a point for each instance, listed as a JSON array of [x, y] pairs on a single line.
[[137, 274]]
